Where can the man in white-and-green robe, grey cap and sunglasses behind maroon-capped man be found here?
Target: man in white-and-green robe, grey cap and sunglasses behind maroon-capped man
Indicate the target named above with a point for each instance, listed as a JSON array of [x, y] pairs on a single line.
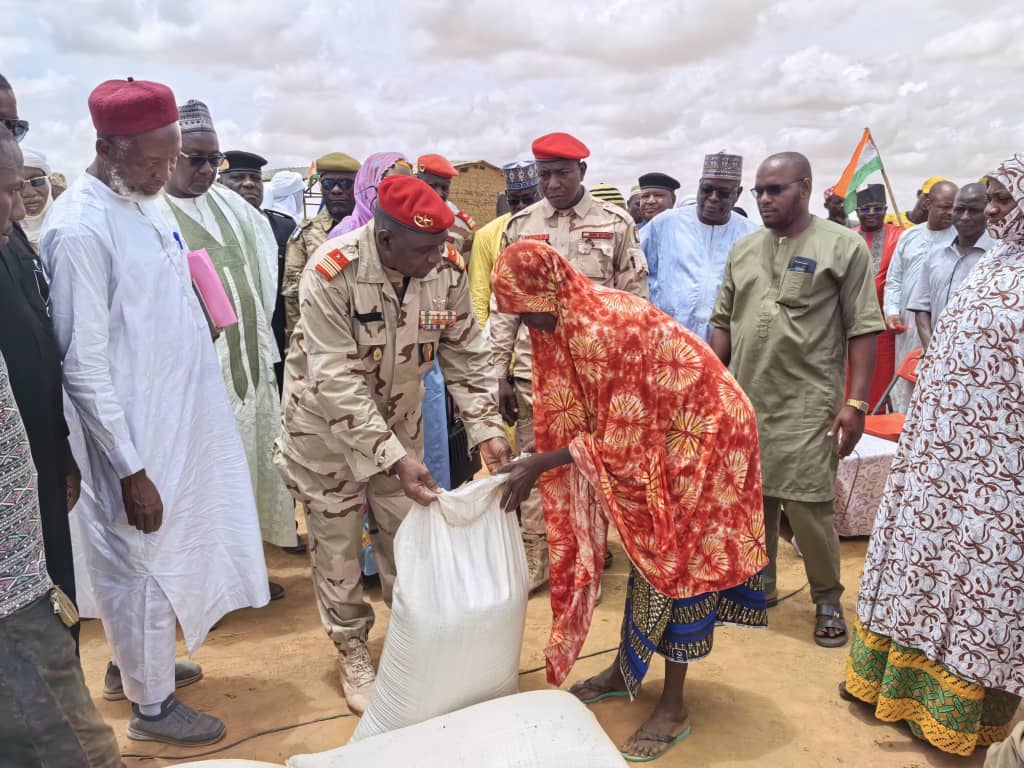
[[244, 251]]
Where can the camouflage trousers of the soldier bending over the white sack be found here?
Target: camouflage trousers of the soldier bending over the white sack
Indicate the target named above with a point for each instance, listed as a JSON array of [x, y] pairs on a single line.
[[334, 524]]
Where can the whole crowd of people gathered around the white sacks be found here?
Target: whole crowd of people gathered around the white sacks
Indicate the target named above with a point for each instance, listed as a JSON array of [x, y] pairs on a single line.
[[663, 366]]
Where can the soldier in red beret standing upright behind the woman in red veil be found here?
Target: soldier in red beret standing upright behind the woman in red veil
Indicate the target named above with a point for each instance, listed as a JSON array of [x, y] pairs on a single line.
[[601, 240]]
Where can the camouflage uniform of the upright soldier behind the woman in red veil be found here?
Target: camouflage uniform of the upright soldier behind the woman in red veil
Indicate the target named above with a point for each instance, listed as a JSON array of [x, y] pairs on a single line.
[[601, 240]]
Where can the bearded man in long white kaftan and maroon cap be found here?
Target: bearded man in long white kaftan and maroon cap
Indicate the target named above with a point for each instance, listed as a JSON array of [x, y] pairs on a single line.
[[175, 536]]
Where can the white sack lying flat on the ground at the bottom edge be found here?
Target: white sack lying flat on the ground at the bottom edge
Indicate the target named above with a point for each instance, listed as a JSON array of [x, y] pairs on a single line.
[[539, 730]]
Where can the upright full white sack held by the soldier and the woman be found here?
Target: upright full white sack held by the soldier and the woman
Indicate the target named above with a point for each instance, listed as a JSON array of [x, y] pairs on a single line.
[[458, 614]]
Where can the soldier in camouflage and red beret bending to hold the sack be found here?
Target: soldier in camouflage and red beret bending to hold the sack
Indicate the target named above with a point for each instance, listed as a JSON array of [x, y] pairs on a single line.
[[379, 305]]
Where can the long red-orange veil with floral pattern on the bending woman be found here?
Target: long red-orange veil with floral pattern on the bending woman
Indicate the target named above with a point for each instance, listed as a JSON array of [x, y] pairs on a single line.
[[663, 439]]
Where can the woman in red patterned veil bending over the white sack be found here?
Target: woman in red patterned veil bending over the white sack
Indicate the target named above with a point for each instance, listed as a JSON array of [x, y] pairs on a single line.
[[639, 424]]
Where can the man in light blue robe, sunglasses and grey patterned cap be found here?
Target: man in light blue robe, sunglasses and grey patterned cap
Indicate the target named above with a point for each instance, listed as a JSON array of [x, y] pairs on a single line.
[[687, 248]]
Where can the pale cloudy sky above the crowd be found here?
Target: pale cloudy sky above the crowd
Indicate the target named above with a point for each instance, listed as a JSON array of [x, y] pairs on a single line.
[[648, 86]]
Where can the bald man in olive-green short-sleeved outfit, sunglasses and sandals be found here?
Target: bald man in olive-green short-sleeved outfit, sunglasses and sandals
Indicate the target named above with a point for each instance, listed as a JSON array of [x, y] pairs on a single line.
[[798, 304]]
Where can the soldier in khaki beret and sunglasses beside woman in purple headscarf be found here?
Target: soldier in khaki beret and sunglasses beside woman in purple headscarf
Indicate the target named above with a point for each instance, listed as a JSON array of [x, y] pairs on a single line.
[[337, 179]]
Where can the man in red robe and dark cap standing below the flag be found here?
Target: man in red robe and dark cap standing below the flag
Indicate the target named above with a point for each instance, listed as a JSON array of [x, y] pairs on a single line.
[[882, 240]]
